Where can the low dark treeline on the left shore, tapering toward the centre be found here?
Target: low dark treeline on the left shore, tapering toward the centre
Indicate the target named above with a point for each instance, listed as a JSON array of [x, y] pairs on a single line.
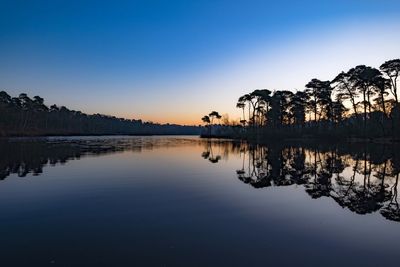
[[25, 116]]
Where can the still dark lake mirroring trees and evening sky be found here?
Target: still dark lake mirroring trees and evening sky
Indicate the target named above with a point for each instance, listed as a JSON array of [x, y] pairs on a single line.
[[182, 201]]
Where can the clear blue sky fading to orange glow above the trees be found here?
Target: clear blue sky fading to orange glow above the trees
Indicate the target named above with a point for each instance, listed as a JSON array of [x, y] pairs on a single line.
[[175, 61]]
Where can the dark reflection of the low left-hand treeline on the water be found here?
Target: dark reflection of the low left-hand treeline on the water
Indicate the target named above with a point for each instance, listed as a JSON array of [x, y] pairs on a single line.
[[29, 156]]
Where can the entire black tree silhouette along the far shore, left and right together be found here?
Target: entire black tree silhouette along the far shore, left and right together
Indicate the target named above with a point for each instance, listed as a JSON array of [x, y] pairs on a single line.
[[360, 103]]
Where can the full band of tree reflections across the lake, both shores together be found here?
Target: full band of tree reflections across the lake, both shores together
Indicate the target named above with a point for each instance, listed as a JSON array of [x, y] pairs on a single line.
[[361, 178]]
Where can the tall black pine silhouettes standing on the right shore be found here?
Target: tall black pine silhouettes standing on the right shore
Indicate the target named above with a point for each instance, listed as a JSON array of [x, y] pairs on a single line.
[[362, 102]]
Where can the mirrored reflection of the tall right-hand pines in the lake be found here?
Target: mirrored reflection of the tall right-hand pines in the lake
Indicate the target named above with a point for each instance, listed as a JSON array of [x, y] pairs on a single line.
[[361, 178]]
